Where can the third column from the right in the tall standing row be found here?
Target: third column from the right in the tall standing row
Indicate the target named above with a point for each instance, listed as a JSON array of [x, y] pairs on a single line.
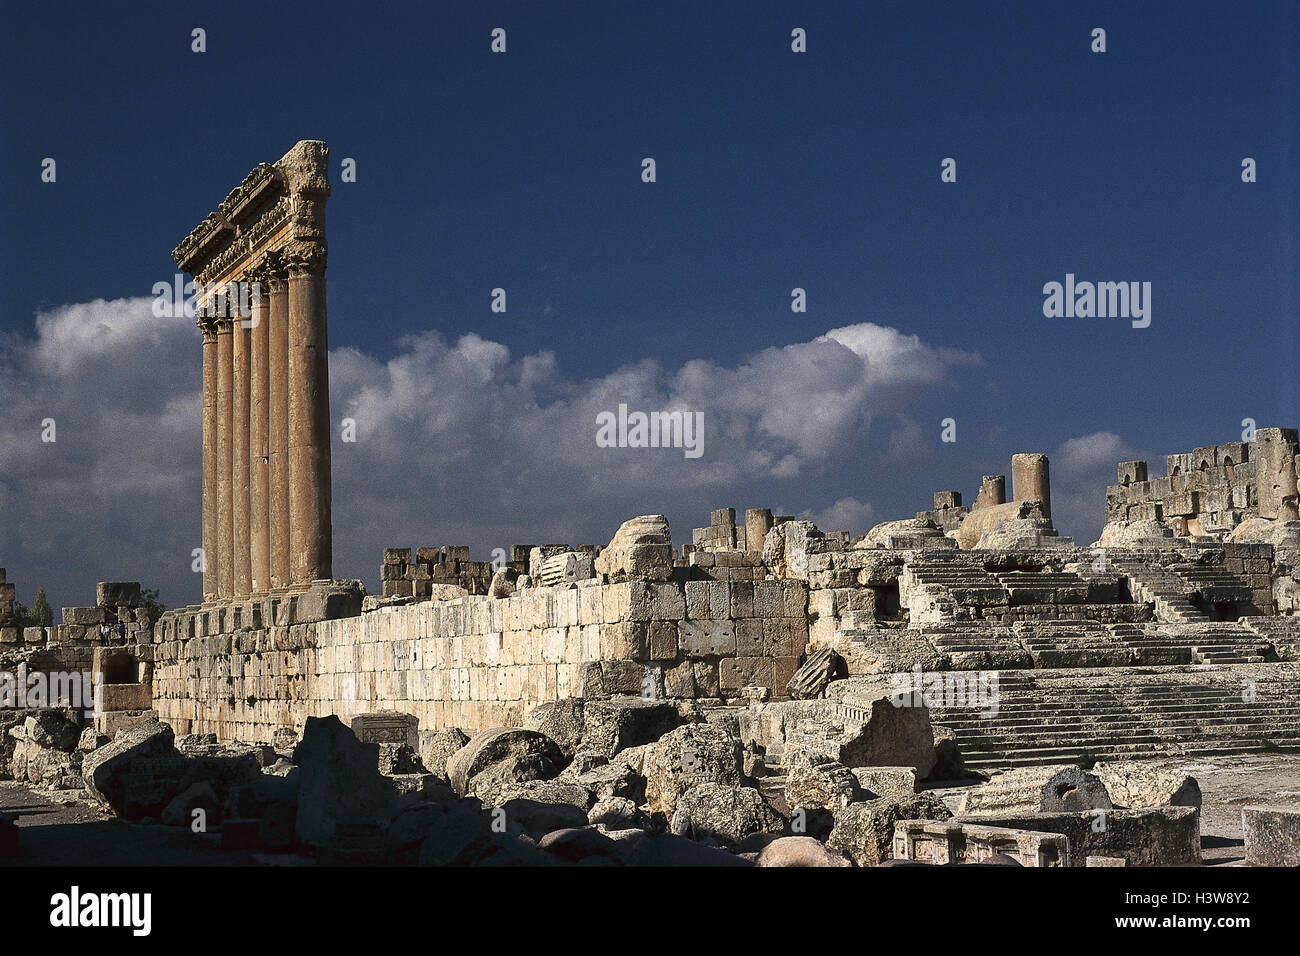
[[259, 461]]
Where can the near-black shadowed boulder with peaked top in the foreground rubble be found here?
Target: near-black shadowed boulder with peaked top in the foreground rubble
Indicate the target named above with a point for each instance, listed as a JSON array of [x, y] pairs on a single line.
[[339, 782]]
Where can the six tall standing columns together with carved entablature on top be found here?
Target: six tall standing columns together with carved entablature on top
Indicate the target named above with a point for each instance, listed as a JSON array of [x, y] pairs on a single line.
[[267, 525]]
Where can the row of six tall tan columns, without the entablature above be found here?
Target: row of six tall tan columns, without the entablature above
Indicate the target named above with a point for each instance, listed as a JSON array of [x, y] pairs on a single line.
[[266, 440]]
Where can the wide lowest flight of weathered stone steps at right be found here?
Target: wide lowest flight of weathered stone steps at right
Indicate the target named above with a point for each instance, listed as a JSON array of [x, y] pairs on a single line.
[[1048, 717]]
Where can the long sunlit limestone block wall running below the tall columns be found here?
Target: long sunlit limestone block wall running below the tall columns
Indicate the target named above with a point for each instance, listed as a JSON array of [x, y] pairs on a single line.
[[478, 663]]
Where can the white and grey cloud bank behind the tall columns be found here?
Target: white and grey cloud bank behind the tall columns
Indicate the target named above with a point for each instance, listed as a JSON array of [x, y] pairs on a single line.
[[457, 442]]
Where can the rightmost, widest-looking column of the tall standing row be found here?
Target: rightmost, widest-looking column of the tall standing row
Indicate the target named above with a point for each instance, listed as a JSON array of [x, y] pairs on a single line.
[[309, 414]]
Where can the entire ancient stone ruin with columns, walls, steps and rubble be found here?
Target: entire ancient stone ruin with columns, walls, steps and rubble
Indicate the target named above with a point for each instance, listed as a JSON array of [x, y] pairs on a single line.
[[963, 686]]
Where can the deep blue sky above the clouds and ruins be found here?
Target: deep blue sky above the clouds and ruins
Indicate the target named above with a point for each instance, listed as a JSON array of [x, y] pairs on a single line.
[[774, 171]]
